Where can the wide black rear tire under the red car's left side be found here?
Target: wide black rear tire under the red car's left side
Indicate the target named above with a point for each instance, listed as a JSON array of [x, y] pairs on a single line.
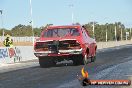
[[46, 62]]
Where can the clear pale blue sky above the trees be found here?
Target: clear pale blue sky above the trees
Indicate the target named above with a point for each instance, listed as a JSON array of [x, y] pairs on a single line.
[[58, 12]]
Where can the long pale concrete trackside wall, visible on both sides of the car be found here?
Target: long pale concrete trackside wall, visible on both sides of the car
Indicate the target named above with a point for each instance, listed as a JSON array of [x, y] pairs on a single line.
[[24, 53]]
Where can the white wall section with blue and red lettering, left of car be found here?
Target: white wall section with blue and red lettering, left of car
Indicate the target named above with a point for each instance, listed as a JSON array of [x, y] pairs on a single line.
[[16, 54]]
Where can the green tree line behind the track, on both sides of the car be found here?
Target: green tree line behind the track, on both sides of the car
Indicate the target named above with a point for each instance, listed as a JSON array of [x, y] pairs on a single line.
[[100, 31]]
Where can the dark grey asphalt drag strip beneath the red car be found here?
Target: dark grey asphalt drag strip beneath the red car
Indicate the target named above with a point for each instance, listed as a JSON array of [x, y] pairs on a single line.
[[108, 65]]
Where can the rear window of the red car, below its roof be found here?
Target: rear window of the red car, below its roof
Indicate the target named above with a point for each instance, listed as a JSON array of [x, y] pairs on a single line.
[[64, 32]]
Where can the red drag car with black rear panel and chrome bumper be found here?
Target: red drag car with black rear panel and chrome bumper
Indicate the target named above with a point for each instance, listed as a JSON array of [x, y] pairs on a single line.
[[65, 42]]
